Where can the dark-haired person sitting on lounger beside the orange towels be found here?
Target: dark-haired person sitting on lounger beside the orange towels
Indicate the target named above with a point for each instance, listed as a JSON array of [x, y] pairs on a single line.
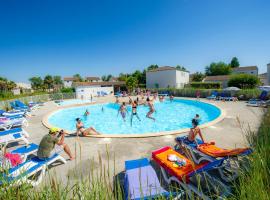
[[191, 138]]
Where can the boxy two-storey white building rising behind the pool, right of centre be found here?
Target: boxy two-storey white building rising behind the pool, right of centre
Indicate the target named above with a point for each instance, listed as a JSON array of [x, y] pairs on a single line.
[[164, 77]]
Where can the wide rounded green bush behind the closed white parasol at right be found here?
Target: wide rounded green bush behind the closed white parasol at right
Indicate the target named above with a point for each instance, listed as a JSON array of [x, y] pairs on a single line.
[[244, 81]]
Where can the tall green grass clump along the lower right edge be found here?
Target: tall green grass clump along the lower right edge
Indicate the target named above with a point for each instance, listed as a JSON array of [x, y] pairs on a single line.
[[254, 183]]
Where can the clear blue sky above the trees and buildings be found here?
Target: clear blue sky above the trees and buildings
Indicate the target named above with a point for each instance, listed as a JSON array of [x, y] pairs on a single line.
[[101, 37]]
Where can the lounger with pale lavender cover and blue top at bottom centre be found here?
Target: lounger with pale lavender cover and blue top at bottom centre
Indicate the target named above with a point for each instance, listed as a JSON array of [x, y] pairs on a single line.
[[141, 181]]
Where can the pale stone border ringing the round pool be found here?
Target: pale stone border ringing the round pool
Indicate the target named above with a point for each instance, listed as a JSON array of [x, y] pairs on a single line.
[[222, 115]]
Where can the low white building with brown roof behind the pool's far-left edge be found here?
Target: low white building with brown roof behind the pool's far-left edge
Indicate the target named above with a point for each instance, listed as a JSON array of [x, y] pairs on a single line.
[[84, 90]]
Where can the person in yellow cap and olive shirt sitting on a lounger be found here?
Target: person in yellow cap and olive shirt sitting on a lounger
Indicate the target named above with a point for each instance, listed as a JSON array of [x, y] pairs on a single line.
[[53, 143]]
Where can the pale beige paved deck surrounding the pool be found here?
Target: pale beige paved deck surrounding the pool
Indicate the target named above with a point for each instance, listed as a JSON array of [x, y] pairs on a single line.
[[226, 133]]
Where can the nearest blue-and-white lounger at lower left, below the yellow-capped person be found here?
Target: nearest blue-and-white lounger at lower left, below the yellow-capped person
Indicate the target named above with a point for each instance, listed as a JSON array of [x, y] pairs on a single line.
[[32, 167]]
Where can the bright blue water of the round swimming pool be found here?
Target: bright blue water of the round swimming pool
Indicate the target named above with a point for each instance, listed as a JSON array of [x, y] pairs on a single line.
[[169, 116]]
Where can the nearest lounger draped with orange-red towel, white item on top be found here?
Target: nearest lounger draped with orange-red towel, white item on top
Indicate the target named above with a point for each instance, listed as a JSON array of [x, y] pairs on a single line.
[[183, 174]]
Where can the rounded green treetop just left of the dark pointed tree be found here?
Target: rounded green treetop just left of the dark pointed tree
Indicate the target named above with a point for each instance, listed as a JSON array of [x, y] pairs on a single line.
[[219, 68]]
